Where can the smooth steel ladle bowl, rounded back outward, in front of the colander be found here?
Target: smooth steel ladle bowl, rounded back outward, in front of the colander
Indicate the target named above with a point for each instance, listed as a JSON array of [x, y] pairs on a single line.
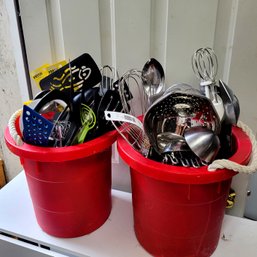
[[203, 142]]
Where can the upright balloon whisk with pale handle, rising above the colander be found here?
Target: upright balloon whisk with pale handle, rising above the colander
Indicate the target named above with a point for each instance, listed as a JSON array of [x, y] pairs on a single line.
[[205, 67]]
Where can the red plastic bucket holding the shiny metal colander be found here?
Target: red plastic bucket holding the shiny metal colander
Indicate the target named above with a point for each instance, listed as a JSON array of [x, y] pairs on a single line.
[[179, 211]]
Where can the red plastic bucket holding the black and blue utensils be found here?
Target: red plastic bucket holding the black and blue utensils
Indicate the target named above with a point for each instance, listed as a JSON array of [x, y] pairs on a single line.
[[70, 186]]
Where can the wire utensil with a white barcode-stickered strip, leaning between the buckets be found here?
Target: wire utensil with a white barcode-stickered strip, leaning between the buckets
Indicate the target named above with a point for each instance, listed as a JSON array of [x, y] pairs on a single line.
[[131, 129]]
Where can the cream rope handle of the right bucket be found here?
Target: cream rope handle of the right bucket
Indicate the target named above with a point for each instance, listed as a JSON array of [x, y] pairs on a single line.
[[230, 165]]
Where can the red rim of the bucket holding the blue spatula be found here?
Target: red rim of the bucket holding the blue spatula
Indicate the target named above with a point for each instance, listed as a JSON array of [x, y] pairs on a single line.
[[58, 154]]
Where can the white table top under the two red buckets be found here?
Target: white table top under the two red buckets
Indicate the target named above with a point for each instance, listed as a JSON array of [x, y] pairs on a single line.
[[115, 238]]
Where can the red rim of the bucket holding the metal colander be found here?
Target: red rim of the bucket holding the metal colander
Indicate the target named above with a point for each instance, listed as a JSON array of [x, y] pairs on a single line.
[[169, 173]]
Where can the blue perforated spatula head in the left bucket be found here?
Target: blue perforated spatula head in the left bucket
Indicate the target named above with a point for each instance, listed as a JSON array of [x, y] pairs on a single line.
[[36, 129]]
